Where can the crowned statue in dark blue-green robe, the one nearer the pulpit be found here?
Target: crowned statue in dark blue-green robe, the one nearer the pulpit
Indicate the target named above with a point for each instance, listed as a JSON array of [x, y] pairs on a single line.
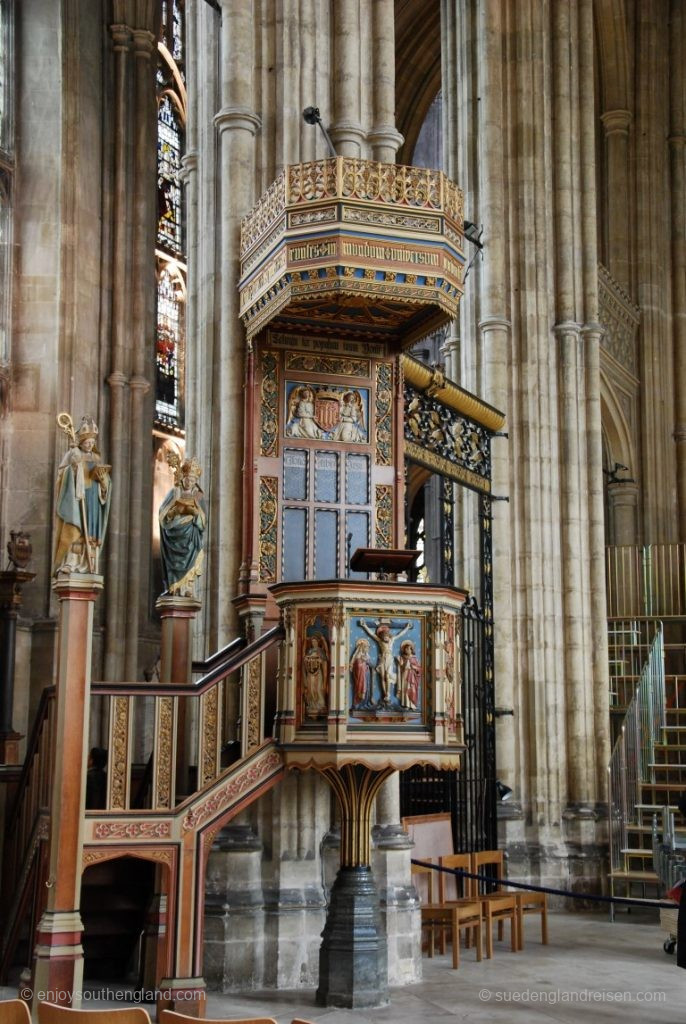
[[183, 523]]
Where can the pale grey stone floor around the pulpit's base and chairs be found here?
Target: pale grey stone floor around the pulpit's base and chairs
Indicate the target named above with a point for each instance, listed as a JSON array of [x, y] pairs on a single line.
[[592, 971]]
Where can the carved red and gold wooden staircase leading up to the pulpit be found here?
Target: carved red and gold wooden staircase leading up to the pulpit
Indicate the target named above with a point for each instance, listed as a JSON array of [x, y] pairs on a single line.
[[177, 830]]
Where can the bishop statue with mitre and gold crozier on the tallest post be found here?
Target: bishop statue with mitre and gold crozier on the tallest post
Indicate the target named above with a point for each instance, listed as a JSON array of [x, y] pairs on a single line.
[[82, 501]]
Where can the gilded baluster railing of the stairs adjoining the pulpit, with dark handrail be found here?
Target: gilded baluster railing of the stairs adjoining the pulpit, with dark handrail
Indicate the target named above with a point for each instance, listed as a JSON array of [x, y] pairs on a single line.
[[183, 731]]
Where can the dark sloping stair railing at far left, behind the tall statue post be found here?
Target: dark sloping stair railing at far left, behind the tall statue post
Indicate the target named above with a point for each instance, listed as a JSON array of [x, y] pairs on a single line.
[[28, 825]]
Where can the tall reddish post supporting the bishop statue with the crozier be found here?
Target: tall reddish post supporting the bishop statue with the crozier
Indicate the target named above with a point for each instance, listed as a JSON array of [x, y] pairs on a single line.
[[59, 965]]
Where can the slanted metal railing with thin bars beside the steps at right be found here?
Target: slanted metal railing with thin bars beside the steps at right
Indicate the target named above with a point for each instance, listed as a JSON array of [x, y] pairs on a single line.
[[633, 757]]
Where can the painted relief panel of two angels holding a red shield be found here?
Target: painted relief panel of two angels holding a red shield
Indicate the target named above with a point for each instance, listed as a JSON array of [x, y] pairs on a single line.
[[324, 412]]
